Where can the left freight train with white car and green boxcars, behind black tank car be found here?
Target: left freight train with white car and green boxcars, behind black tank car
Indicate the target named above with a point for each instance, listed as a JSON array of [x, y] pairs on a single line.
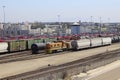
[[9, 46]]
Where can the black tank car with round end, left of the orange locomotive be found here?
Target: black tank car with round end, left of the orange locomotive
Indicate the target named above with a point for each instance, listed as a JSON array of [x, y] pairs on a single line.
[[36, 47]]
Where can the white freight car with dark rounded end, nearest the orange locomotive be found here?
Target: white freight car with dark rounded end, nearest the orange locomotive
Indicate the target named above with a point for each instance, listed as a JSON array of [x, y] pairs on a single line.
[[80, 44]]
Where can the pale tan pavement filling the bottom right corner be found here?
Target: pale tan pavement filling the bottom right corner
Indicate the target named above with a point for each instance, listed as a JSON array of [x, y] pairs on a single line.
[[107, 72]]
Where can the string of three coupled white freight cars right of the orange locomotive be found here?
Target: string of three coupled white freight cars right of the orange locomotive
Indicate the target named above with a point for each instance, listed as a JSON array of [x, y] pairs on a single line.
[[88, 43]]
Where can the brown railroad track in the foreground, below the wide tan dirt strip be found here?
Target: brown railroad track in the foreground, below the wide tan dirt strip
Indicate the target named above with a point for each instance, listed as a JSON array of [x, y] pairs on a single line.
[[51, 69]]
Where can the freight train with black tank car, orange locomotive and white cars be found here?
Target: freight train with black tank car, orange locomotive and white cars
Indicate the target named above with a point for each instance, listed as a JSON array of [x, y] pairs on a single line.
[[73, 44]]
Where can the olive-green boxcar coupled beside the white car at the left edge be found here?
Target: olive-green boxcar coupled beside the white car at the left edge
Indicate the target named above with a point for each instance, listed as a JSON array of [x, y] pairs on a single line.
[[17, 45]]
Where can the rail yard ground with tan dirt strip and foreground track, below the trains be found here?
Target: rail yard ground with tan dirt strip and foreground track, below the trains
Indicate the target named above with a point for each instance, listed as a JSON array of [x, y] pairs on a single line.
[[40, 68]]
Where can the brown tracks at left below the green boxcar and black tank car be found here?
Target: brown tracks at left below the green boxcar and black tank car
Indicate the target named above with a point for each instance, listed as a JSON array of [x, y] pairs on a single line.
[[27, 55]]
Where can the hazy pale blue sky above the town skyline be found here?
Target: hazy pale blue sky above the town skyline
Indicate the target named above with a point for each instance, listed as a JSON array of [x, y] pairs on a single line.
[[69, 10]]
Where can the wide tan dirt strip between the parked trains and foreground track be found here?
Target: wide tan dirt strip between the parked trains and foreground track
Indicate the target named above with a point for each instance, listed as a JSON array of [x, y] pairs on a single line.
[[19, 67]]
